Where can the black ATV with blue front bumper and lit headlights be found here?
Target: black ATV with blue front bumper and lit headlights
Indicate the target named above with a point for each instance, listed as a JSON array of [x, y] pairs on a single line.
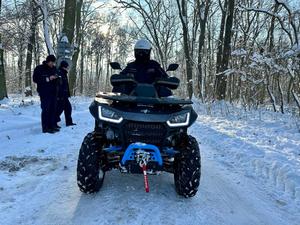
[[140, 133]]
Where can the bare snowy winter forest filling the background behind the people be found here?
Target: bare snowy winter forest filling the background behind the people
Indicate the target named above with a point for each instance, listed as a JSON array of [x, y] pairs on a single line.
[[242, 51]]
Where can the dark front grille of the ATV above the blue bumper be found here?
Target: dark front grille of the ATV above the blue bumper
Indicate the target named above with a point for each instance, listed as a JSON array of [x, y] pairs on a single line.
[[150, 133]]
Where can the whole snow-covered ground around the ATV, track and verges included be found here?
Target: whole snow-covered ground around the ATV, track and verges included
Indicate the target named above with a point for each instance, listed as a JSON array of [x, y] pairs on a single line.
[[250, 173]]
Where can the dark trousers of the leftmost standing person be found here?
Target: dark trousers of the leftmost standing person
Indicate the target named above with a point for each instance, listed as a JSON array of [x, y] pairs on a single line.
[[48, 111]]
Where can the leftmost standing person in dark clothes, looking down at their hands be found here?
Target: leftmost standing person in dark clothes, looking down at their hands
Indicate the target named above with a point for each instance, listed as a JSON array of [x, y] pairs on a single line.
[[45, 76]]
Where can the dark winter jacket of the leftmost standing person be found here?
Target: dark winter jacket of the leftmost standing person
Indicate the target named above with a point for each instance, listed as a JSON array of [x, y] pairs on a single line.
[[41, 76]]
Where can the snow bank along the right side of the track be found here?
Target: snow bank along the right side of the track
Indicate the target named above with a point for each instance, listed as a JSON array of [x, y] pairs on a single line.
[[265, 145]]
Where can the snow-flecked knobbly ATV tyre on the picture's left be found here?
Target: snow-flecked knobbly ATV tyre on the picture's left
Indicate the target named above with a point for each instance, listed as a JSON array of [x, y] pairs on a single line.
[[90, 176]]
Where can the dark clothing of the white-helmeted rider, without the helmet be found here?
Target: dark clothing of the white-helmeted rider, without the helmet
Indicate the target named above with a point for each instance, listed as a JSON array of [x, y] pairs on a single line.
[[144, 73]]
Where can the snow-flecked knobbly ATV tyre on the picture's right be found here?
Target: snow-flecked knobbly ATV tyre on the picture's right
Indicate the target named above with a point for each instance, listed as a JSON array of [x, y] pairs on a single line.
[[187, 168]]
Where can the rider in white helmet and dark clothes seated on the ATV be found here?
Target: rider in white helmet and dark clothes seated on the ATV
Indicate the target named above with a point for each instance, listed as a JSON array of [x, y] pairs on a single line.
[[143, 69]]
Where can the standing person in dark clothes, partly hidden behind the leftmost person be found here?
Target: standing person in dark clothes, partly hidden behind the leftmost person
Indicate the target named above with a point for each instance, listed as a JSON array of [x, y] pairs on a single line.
[[63, 95]]
